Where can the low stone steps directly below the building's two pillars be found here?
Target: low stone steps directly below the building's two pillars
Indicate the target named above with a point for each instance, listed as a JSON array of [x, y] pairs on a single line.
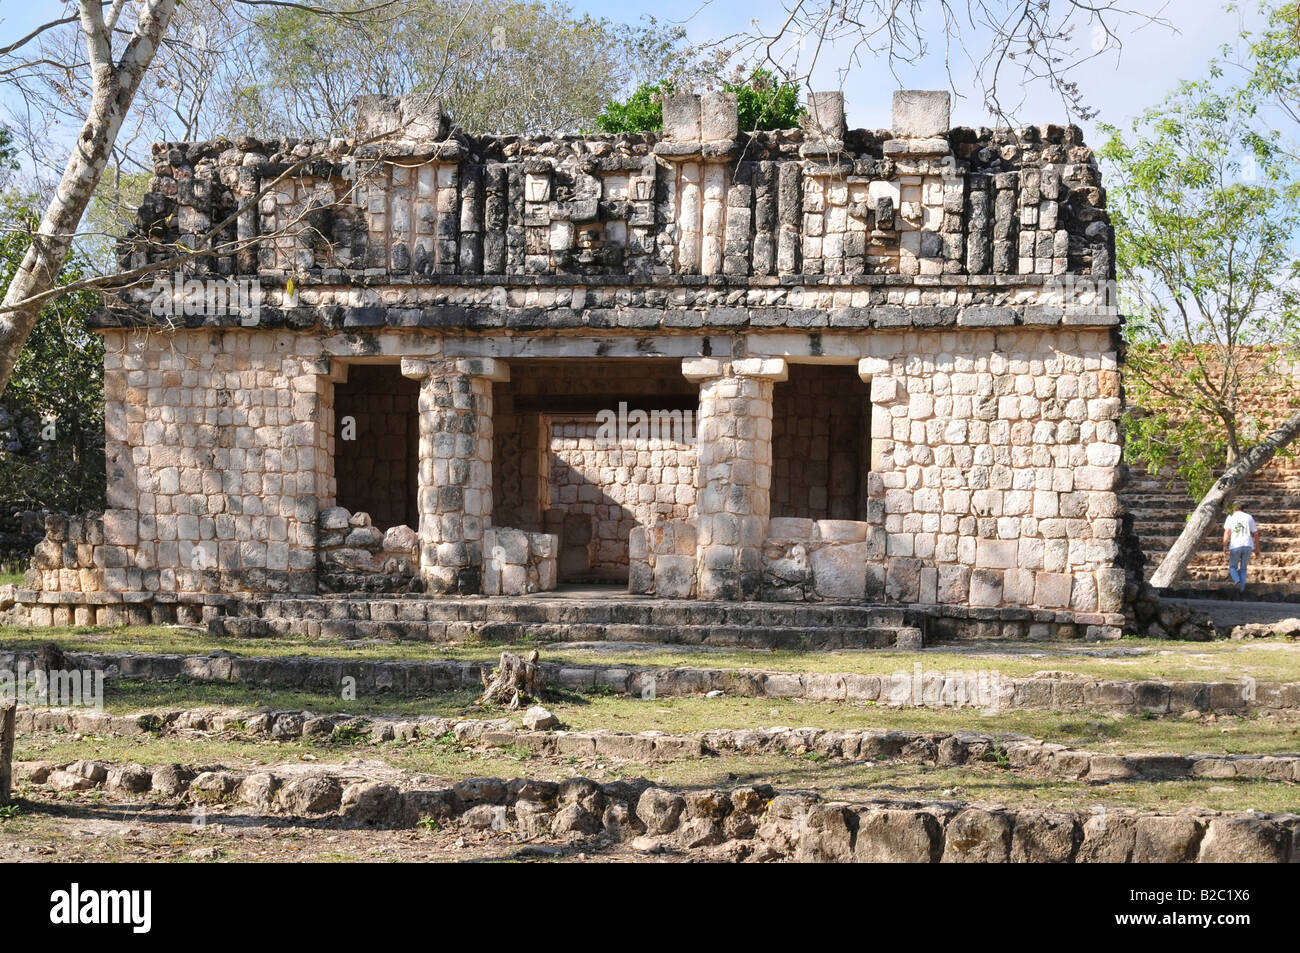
[[629, 620]]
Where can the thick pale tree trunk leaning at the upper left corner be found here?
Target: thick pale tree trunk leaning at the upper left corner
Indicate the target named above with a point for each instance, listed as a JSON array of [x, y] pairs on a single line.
[[114, 92]]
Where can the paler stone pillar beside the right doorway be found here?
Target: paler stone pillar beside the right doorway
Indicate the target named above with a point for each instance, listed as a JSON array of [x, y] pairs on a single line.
[[734, 476]]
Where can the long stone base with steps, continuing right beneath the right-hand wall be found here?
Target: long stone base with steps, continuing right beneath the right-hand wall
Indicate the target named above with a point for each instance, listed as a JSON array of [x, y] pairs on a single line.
[[596, 614]]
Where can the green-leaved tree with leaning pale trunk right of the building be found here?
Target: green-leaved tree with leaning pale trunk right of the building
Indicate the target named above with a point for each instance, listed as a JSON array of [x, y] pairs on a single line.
[[1206, 209]]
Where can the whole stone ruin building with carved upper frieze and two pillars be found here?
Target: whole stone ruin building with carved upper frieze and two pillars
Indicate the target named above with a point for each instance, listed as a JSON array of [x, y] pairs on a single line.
[[821, 366]]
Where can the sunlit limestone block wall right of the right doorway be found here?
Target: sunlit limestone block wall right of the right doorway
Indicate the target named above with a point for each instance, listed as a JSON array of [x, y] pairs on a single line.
[[998, 456]]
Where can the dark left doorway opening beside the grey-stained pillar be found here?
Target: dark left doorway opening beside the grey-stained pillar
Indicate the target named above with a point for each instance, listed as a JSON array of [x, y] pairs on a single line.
[[376, 471]]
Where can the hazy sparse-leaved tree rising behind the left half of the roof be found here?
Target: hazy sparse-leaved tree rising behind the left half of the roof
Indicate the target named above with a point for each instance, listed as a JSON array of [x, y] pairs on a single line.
[[515, 67]]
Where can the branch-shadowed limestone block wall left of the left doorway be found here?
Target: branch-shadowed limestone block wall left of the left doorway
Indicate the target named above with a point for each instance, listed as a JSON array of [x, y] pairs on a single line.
[[218, 447]]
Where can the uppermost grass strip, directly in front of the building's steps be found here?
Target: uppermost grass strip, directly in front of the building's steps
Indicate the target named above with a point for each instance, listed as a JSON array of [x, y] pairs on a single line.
[[1129, 659]]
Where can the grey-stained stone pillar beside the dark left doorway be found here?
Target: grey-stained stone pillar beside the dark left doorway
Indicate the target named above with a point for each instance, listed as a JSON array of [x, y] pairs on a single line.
[[456, 469]]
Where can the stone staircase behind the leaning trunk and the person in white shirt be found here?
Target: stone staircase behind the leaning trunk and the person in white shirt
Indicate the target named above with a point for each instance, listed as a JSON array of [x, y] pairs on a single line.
[[1160, 510]]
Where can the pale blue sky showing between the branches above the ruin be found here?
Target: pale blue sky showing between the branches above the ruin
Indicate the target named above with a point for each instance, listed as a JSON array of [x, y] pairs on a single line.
[[1119, 85]]
